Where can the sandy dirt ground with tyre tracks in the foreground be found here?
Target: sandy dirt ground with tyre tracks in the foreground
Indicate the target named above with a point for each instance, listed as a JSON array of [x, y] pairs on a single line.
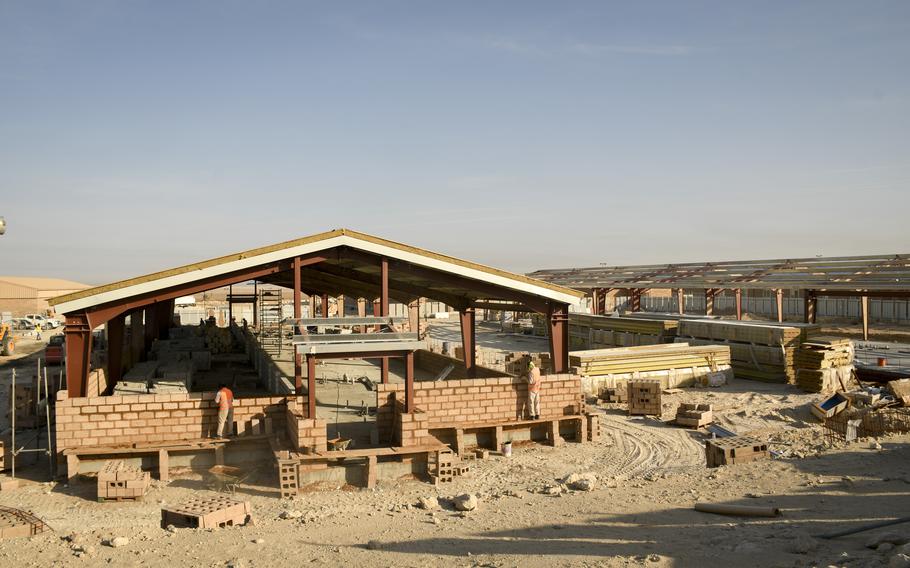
[[640, 512]]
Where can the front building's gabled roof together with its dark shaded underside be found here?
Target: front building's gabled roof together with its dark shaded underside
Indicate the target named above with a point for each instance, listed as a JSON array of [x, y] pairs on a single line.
[[342, 262]]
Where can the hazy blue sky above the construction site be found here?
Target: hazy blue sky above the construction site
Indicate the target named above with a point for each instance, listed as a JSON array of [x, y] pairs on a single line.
[[140, 135]]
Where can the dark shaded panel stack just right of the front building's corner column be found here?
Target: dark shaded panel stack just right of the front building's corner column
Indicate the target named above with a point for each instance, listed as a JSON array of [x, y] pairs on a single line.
[[593, 332]]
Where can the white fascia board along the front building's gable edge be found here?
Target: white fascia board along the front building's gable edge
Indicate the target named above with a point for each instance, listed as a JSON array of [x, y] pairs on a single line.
[[341, 240]]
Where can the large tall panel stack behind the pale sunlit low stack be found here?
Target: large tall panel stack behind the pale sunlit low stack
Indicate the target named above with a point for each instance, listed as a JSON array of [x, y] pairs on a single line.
[[758, 351]]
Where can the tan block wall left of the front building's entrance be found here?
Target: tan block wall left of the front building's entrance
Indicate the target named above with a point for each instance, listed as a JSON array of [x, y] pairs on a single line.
[[152, 418]]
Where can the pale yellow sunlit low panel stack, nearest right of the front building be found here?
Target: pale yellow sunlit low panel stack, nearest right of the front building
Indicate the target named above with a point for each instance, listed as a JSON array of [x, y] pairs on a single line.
[[672, 364]]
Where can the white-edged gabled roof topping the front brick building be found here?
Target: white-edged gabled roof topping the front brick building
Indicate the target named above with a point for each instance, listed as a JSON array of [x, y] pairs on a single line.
[[341, 278]]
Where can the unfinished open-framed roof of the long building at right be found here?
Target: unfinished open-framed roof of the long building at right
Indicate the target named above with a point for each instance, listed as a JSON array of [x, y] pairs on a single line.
[[882, 273]]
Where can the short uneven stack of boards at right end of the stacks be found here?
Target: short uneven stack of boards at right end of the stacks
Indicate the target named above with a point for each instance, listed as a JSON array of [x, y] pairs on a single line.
[[824, 364]]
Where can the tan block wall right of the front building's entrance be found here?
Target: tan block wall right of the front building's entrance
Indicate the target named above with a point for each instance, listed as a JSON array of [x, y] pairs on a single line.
[[467, 401]]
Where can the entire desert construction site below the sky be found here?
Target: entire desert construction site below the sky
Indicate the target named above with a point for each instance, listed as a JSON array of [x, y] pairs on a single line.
[[343, 398]]
